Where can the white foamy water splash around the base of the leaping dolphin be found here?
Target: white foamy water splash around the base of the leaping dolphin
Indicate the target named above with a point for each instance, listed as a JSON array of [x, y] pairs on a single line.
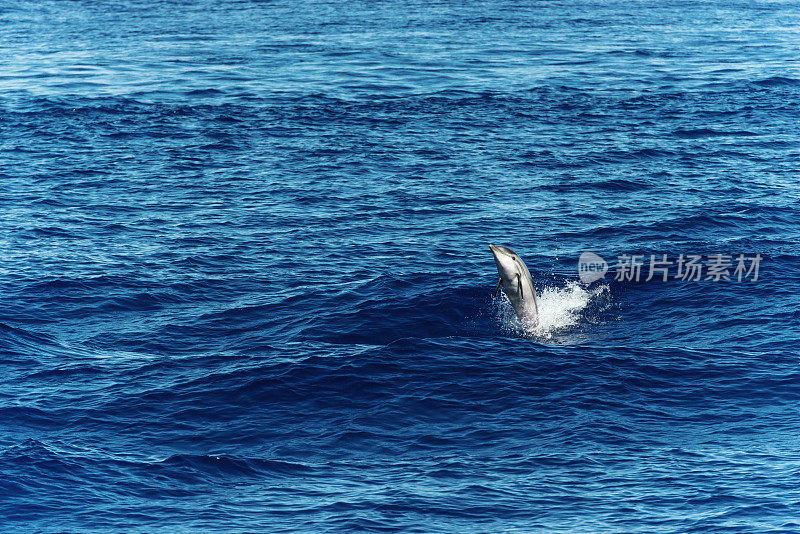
[[559, 309]]
